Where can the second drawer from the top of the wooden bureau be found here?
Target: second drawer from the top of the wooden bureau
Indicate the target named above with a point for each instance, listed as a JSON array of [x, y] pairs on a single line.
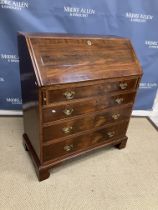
[[58, 112]]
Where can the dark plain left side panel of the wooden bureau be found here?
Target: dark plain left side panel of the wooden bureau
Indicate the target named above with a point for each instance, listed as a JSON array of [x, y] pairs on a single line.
[[30, 96]]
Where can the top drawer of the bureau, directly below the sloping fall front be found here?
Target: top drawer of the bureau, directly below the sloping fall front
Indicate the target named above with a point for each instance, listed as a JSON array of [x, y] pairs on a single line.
[[70, 93]]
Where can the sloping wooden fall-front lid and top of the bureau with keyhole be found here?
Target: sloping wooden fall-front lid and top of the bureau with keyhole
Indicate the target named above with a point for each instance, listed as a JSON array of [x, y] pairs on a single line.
[[61, 59]]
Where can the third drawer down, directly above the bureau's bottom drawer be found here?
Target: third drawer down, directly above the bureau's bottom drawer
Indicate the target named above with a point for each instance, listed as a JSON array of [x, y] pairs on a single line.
[[69, 127]]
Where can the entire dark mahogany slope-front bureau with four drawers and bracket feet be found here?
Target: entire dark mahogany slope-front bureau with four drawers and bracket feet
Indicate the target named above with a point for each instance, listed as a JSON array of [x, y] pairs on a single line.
[[77, 93]]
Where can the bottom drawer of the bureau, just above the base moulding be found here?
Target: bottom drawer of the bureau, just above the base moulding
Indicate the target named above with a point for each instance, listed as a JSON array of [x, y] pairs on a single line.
[[83, 142]]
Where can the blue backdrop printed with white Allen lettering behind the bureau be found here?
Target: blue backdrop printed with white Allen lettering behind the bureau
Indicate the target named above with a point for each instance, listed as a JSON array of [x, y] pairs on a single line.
[[136, 20]]
